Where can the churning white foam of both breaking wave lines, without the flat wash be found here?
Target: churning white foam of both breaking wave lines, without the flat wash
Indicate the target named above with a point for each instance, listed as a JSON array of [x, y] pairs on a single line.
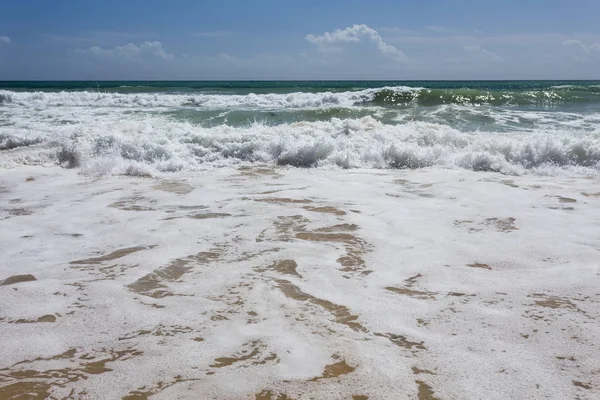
[[112, 133]]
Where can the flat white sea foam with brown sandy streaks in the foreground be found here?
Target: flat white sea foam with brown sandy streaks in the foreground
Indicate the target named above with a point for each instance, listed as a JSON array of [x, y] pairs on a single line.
[[264, 283]]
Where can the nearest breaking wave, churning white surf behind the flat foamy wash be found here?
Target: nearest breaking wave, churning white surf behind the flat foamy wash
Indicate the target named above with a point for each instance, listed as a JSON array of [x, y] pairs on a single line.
[[153, 145]]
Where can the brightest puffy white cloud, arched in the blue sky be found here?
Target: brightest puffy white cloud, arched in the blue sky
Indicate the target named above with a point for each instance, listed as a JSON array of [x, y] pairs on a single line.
[[355, 34]]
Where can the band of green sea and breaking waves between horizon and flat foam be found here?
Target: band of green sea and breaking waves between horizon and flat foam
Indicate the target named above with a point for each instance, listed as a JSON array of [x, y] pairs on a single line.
[[512, 127]]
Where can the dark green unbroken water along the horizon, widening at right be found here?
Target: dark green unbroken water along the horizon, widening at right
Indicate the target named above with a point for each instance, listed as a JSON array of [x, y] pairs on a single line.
[[499, 93]]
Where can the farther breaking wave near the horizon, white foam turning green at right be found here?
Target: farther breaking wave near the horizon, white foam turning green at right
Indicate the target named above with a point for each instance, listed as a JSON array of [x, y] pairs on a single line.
[[386, 96]]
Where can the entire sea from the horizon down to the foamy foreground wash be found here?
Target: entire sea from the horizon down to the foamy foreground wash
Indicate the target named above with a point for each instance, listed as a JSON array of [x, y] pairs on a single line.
[[300, 240]]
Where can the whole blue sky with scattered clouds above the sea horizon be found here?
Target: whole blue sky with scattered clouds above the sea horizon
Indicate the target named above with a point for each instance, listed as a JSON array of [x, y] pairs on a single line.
[[299, 40]]
